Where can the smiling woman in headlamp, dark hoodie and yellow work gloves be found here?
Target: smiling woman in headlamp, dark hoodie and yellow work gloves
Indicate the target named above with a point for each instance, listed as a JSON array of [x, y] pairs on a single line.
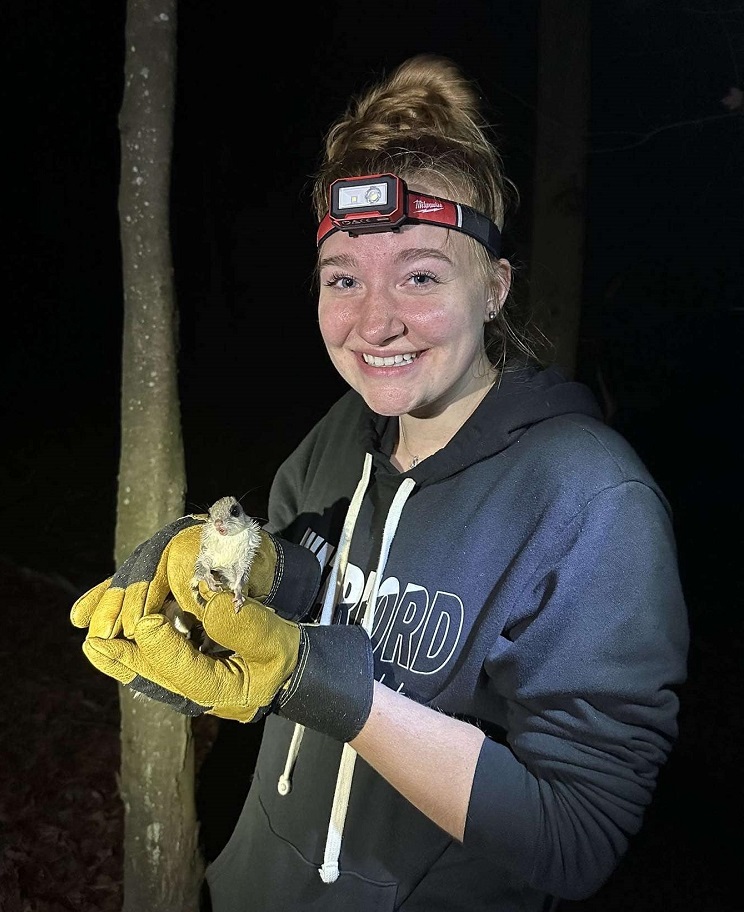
[[483, 680]]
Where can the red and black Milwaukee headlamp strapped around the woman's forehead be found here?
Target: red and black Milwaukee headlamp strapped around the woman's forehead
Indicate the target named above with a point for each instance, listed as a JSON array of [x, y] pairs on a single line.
[[383, 202]]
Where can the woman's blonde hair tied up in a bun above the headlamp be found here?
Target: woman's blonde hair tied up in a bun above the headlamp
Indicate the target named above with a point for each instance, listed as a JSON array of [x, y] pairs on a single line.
[[426, 123]]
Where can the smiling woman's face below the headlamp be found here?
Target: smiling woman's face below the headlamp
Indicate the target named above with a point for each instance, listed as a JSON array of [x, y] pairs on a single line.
[[402, 314]]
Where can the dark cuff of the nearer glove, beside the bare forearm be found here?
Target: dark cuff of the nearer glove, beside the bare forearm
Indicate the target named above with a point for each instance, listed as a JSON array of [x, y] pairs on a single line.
[[331, 689]]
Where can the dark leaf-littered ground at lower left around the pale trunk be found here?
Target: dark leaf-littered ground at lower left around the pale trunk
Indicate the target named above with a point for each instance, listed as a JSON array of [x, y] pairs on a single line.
[[60, 815]]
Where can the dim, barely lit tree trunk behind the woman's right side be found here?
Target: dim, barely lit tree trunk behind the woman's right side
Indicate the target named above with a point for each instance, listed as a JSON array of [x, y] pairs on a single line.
[[557, 259]]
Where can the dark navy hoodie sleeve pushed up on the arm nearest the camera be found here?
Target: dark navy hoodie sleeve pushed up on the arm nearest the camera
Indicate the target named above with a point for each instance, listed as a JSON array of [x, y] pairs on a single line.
[[587, 675]]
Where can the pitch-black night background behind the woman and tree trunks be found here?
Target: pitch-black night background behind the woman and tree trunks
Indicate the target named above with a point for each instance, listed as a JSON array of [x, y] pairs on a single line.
[[662, 311]]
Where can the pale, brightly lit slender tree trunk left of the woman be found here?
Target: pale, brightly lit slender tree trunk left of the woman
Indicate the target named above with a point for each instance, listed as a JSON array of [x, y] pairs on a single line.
[[162, 867]]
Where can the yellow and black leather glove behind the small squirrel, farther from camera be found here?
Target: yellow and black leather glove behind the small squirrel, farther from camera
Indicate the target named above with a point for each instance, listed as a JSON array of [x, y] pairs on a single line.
[[283, 574]]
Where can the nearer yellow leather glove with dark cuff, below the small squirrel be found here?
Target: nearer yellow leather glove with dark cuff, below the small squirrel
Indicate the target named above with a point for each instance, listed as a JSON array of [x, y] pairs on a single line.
[[319, 676]]
